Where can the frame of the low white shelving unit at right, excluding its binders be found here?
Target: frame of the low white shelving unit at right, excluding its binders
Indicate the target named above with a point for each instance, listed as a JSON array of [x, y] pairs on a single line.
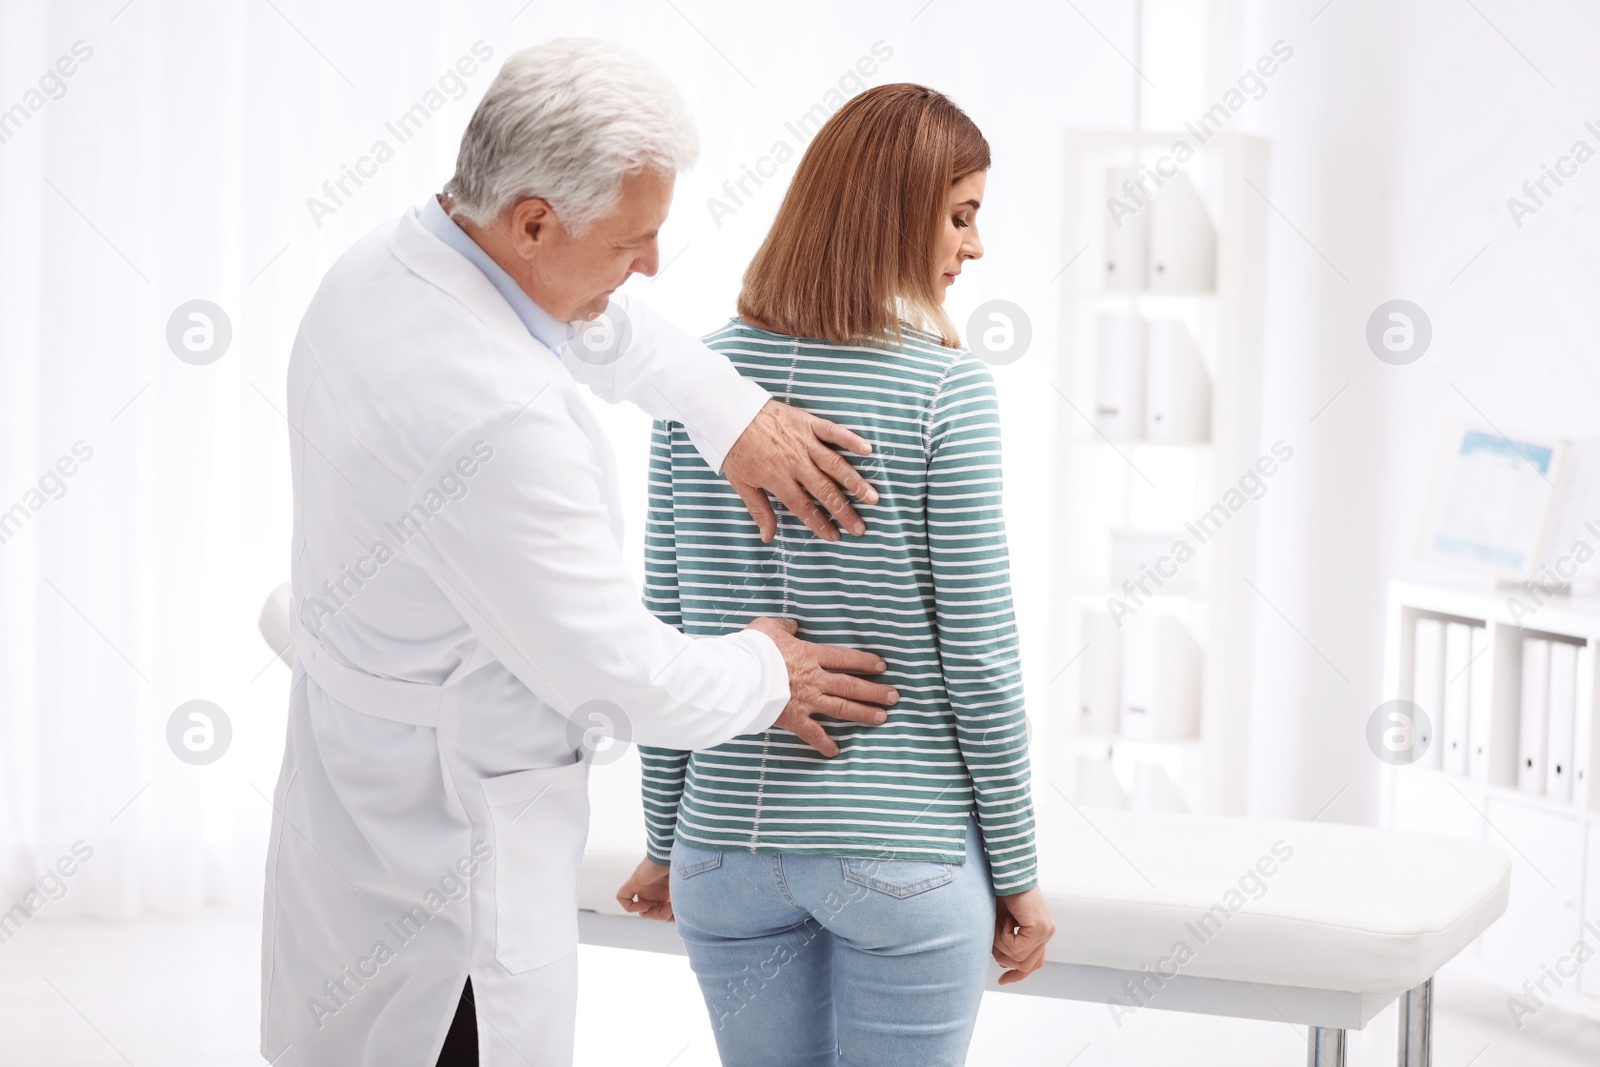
[[1554, 845]]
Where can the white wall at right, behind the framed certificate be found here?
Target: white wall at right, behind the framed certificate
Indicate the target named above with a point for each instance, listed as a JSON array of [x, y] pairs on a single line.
[[1399, 132]]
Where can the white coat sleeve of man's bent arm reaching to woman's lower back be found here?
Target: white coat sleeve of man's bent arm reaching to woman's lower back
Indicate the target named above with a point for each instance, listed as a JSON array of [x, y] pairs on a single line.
[[519, 538]]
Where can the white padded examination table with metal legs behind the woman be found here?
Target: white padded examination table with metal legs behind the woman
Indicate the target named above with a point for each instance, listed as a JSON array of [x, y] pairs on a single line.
[[1145, 919]]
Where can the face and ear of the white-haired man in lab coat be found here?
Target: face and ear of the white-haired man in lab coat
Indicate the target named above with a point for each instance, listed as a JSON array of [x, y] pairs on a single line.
[[574, 276]]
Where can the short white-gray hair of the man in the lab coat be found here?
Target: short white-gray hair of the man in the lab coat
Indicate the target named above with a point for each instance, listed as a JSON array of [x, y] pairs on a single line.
[[566, 122]]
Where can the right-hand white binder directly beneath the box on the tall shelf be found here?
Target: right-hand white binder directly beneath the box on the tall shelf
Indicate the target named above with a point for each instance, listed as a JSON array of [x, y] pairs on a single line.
[[1161, 681]]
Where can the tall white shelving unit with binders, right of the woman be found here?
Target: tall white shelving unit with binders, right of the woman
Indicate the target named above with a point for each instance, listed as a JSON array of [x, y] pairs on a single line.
[[1158, 447]]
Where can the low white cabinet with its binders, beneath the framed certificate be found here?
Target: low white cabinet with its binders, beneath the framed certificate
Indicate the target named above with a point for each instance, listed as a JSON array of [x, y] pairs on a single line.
[[1550, 938]]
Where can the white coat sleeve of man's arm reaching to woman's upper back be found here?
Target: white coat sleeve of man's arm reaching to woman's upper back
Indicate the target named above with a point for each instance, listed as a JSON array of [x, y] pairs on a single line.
[[670, 375]]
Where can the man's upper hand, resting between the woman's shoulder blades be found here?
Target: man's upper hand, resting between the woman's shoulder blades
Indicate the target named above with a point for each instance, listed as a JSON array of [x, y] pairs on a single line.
[[788, 452]]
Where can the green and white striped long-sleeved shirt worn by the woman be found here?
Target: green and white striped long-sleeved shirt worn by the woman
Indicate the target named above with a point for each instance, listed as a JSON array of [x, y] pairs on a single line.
[[927, 589]]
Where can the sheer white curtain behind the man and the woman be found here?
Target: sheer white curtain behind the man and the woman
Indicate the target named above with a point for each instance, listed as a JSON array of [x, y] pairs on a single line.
[[230, 153]]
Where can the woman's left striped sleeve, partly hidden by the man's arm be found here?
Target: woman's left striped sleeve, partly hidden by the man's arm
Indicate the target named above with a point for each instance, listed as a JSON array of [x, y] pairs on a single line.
[[663, 769]]
